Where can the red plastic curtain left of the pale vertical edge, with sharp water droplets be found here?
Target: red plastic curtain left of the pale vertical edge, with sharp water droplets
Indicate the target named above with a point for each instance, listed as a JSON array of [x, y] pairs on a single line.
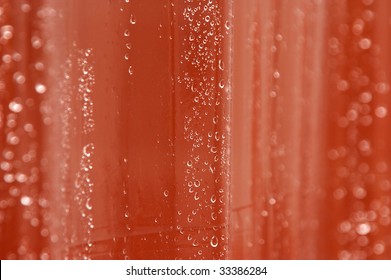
[[115, 121]]
